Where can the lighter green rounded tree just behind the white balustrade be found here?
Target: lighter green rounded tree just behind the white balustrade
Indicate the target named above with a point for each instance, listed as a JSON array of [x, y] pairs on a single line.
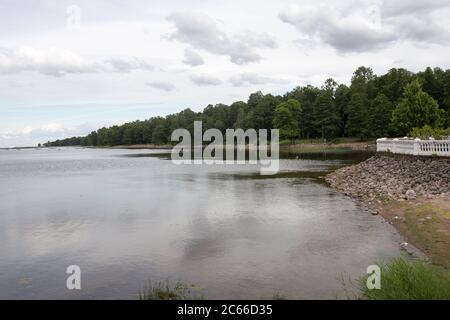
[[416, 109]]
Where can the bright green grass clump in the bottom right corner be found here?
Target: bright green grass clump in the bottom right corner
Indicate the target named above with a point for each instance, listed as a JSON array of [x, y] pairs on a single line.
[[404, 280]]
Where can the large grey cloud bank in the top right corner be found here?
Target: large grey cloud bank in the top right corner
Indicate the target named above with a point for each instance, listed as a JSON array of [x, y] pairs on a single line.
[[369, 28]]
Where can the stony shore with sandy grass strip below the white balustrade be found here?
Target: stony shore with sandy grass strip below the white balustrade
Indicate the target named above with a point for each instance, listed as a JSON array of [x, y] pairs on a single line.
[[411, 193]]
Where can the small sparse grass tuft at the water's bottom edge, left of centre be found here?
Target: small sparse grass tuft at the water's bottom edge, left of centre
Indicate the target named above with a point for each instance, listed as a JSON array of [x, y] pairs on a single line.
[[165, 290]]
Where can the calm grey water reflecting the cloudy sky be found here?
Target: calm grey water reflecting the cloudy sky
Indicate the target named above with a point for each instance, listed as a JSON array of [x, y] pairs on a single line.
[[126, 218]]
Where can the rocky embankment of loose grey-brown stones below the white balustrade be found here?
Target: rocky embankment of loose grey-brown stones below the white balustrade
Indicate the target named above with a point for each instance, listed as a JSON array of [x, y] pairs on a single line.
[[393, 177]]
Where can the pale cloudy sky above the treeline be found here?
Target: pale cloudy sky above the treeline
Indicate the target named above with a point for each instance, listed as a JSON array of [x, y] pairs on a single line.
[[68, 67]]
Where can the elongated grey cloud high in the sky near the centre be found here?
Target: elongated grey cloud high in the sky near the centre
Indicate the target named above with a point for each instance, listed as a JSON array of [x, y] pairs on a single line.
[[202, 32]]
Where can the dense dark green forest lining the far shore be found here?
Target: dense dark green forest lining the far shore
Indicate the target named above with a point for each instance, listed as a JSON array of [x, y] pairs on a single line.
[[371, 107]]
